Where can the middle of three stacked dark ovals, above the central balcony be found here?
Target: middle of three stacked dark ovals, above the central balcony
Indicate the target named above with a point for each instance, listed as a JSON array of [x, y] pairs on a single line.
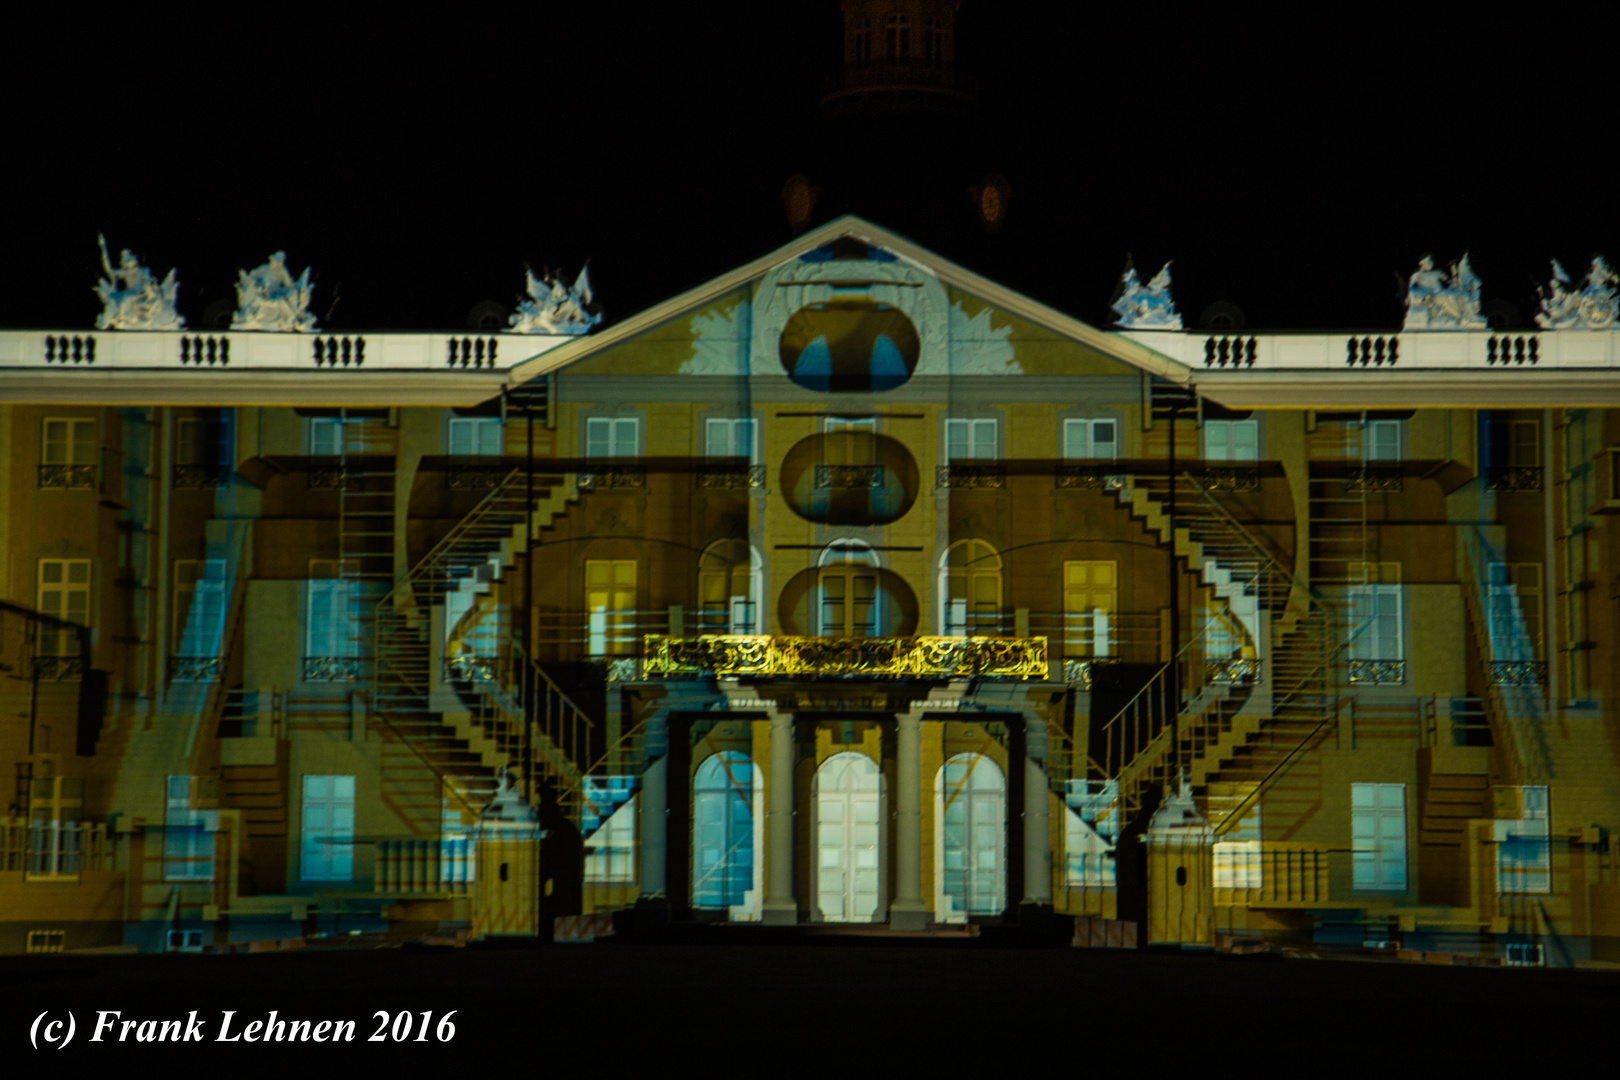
[[850, 478]]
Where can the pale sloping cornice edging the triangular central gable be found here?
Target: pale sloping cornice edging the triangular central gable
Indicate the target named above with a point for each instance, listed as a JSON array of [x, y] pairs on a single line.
[[1106, 342]]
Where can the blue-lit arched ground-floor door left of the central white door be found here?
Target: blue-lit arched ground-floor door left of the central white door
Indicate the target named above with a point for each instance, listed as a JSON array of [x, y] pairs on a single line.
[[727, 835]]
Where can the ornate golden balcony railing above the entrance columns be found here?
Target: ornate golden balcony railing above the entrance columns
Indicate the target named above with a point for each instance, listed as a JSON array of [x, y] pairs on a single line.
[[736, 657]]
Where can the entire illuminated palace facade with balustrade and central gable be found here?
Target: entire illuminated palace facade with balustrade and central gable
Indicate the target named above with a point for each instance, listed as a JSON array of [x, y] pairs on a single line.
[[846, 589]]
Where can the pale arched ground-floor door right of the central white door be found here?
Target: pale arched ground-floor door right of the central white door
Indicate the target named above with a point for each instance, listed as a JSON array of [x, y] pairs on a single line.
[[970, 814]]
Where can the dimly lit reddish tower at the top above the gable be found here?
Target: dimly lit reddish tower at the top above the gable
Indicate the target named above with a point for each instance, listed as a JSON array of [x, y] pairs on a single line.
[[898, 54]]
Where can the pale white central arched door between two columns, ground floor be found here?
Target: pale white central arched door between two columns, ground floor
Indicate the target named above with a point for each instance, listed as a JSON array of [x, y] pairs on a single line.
[[850, 846]]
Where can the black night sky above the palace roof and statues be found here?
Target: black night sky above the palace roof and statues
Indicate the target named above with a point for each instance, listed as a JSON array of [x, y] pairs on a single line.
[[1292, 166]]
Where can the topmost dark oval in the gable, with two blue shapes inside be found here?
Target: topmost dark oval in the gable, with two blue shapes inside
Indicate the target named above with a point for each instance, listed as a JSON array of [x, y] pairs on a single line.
[[850, 346]]
